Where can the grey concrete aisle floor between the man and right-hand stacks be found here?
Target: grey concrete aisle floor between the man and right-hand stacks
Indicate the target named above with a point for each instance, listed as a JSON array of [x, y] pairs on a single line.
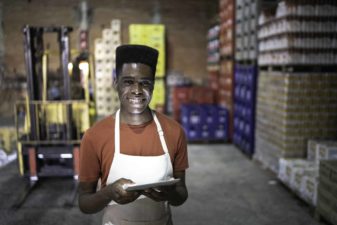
[[227, 188]]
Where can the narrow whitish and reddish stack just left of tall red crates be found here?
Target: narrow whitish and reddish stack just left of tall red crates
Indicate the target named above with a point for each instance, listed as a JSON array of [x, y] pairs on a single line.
[[213, 59]]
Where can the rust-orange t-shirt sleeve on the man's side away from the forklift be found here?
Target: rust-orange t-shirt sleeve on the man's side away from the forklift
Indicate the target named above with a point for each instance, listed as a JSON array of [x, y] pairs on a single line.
[[181, 156]]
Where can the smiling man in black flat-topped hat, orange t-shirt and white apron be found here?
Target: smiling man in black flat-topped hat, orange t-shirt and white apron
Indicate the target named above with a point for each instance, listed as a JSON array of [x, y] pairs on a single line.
[[135, 145]]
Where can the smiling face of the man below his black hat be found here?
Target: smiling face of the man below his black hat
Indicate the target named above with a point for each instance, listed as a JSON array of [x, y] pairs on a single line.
[[135, 86]]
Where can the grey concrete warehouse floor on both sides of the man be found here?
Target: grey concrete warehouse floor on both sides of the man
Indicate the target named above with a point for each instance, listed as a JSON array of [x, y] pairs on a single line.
[[225, 188]]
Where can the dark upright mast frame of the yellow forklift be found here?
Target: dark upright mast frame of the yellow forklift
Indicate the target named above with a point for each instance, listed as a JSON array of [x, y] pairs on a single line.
[[34, 50]]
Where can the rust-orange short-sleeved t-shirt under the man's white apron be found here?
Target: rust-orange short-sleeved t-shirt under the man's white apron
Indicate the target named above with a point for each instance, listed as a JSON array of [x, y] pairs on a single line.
[[98, 145]]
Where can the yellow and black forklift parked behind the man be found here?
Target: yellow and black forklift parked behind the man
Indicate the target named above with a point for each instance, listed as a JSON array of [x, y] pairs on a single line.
[[53, 119]]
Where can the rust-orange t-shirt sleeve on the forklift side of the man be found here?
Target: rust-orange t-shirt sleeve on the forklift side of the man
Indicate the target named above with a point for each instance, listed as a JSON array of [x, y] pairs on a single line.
[[89, 162]]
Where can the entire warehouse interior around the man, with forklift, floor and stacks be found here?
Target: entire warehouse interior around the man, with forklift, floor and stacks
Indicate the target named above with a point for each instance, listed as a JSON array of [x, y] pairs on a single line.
[[253, 83]]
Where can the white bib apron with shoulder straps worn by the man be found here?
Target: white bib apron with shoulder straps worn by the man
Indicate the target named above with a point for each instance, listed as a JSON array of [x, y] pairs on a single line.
[[139, 169]]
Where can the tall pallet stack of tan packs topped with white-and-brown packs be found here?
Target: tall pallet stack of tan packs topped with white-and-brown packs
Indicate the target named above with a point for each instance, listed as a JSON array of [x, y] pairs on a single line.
[[297, 84]]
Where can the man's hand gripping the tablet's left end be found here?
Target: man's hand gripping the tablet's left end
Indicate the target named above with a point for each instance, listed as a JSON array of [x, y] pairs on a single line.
[[119, 195]]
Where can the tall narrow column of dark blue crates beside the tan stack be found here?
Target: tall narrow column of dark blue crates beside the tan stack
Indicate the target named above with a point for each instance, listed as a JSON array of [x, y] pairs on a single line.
[[244, 108]]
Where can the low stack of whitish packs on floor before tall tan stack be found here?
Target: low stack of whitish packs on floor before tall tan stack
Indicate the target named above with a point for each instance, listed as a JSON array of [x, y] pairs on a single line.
[[304, 176]]
